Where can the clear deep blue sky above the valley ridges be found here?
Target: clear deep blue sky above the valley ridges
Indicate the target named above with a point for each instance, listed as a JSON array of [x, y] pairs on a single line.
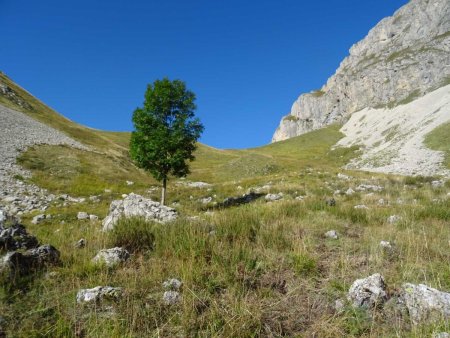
[[247, 61]]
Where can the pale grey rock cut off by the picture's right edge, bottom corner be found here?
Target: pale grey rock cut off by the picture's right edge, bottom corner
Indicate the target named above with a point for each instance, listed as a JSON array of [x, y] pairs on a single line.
[[424, 303]]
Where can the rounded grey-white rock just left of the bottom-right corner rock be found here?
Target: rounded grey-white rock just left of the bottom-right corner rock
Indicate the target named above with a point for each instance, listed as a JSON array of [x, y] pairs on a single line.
[[368, 292]]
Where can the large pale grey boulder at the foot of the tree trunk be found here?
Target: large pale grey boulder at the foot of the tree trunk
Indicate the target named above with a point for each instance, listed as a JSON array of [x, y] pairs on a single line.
[[137, 206]]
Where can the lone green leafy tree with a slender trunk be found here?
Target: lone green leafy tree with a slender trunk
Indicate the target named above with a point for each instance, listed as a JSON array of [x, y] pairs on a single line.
[[166, 131]]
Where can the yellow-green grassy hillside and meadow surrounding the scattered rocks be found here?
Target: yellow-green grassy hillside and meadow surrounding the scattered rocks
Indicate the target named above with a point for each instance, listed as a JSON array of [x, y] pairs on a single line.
[[261, 269]]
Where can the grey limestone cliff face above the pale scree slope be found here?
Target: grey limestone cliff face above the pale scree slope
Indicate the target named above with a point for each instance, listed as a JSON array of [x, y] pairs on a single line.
[[402, 58]]
